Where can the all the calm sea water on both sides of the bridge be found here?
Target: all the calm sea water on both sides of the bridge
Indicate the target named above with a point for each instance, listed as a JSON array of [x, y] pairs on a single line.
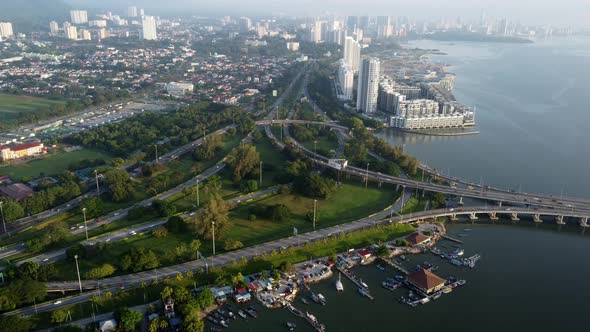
[[532, 112]]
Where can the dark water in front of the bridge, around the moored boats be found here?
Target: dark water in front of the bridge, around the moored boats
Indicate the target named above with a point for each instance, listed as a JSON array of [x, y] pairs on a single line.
[[529, 279]]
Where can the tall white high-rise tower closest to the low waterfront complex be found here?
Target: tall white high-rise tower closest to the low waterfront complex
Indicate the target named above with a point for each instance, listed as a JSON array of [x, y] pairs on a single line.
[[368, 85]]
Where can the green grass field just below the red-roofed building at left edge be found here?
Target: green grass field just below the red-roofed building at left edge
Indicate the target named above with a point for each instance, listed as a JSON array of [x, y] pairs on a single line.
[[52, 164]]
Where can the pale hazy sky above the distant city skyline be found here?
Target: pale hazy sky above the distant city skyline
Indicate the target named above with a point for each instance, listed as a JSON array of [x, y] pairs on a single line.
[[559, 12]]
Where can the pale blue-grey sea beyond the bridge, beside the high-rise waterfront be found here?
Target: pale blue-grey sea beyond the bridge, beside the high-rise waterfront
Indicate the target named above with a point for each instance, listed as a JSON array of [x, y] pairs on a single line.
[[532, 112]]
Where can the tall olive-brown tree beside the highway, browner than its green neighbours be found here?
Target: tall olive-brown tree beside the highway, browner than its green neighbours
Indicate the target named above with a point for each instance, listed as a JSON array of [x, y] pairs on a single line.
[[216, 210]]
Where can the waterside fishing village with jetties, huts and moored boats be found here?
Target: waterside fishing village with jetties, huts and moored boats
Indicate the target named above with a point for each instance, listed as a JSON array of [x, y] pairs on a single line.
[[413, 285]]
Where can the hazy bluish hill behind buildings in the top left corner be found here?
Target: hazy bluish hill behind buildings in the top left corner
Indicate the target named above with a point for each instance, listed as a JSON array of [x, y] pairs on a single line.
[[33, 15]]
